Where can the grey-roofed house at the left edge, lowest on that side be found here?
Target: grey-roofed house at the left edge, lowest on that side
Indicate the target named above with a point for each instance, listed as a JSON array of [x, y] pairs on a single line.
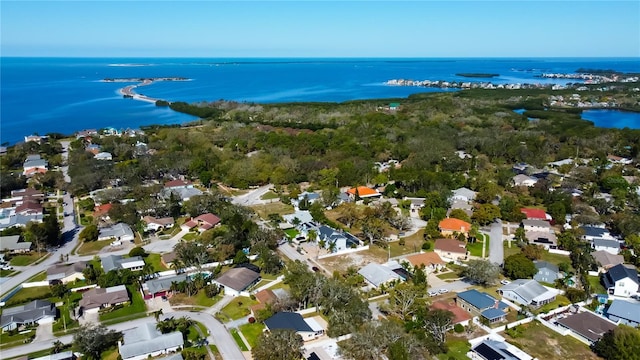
[[35, 312]]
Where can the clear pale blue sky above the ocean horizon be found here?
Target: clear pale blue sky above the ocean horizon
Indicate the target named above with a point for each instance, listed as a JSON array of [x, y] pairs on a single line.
[[320, 28]]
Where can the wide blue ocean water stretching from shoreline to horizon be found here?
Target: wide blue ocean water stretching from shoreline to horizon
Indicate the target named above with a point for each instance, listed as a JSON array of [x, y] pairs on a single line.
[[41, 95]]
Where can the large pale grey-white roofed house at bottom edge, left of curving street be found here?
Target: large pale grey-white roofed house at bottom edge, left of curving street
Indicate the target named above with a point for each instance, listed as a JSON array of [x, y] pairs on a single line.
[[146, 341]]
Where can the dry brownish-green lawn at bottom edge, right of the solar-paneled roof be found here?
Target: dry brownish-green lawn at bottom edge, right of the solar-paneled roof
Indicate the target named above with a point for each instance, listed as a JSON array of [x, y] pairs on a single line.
[[556, 347]]
